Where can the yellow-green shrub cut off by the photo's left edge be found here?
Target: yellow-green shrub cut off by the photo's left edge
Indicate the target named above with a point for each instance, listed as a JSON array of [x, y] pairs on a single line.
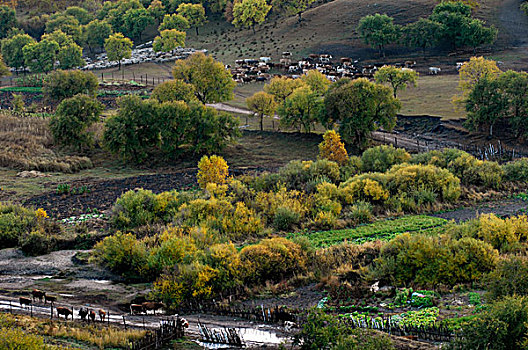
[[15, 221]]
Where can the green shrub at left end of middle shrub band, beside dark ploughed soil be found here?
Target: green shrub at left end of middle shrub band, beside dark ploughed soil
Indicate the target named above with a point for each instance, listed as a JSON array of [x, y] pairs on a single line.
[[134, 209]]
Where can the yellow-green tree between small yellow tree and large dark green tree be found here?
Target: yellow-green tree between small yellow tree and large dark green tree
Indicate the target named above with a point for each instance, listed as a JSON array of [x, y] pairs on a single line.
[[301, 109]]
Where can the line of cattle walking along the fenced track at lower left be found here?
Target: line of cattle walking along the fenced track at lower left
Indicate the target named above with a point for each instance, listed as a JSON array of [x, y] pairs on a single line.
[[84, 312]]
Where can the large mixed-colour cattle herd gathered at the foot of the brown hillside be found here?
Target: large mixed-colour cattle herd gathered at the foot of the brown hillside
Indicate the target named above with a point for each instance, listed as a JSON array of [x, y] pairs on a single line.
[[250, 70]]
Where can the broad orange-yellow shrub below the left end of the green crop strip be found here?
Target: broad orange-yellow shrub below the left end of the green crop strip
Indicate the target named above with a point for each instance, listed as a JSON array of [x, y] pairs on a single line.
[[272, 260]]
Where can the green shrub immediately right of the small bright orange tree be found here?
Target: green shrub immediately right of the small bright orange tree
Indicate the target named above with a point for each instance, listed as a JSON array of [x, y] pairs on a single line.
[[382, 158]]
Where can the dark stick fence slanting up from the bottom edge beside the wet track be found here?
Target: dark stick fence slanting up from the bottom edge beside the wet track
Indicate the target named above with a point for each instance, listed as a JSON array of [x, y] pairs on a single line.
[[170, 329]]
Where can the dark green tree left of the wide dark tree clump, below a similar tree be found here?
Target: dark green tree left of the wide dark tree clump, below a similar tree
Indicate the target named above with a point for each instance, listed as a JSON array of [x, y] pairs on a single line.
[[72, 119]]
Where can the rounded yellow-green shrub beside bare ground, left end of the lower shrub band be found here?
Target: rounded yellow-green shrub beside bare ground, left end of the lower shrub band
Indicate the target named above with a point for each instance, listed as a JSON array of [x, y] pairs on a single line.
[[123, 254]]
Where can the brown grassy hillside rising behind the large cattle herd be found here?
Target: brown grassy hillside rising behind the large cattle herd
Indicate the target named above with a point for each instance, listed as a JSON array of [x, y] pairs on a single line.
[[330, 27]]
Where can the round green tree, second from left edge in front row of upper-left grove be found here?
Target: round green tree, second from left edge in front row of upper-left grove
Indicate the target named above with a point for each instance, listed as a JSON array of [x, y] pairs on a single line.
[[41, 56]]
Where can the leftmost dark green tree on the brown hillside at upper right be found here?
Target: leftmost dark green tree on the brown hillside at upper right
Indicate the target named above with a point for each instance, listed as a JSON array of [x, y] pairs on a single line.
[[378, 31]]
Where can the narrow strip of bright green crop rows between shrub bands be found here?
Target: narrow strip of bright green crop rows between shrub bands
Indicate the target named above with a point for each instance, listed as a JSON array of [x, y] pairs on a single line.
[[382, 230]]
